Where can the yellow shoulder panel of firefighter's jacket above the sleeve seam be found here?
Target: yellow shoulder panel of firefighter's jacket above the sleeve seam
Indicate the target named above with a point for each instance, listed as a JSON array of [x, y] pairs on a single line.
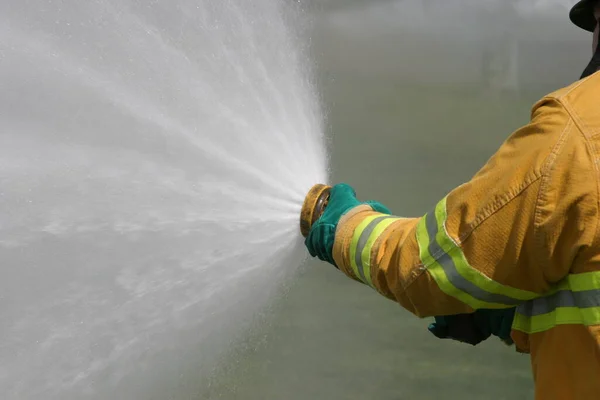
[[581, 101]]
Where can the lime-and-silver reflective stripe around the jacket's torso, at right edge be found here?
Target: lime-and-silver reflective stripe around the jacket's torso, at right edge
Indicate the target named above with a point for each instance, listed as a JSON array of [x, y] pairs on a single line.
[[576, 300]]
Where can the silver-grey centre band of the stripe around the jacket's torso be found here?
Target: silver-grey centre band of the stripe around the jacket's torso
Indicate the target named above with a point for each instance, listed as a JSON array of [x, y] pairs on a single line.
[[561, 299]]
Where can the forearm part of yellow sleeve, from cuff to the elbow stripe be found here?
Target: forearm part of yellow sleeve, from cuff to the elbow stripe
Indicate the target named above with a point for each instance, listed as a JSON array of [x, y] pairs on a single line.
[[384, 252]]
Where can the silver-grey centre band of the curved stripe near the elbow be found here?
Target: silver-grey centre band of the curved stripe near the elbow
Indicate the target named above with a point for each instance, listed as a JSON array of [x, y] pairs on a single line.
[[457, 280]]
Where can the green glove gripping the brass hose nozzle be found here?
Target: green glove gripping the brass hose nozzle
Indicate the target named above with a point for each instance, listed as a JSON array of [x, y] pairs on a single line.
[[342, 199]]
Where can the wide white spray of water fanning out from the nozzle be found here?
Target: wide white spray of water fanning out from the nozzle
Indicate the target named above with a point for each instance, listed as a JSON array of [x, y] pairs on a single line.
[[154, 159]]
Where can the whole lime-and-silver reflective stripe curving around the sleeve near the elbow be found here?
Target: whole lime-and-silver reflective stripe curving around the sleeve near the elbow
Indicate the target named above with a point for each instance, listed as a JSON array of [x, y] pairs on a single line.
[[448, 265]]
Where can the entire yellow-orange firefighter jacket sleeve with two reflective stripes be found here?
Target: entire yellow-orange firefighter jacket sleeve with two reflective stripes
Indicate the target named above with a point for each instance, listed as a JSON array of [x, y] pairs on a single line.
[[503, 238]]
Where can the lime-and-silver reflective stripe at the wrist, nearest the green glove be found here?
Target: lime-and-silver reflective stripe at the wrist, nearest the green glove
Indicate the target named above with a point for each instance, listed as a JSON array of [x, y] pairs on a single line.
[[364, 237]]
